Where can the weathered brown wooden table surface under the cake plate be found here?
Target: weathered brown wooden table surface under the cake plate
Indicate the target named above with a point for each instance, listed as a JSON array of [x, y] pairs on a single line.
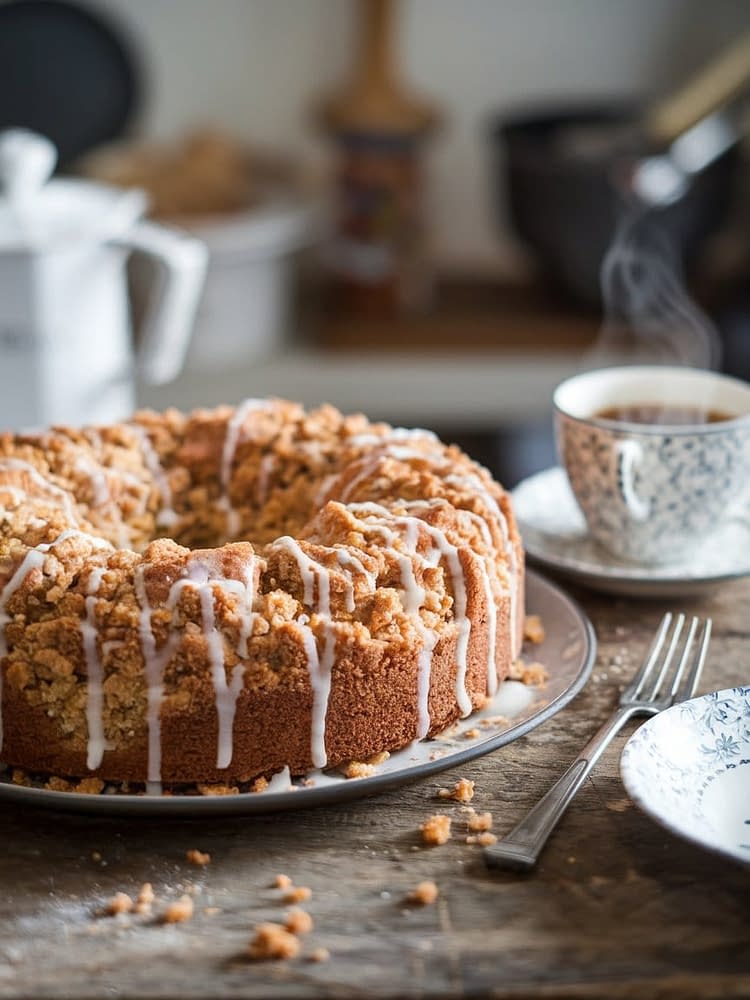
[[616, 908]]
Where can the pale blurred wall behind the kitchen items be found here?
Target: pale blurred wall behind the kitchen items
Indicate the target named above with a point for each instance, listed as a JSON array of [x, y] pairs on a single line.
[[258, 67]]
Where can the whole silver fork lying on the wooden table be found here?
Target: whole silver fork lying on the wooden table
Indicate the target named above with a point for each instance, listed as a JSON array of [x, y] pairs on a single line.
[[648, 693]]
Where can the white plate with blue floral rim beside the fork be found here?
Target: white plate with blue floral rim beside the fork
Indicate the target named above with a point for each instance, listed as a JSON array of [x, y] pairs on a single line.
[[689, 769]]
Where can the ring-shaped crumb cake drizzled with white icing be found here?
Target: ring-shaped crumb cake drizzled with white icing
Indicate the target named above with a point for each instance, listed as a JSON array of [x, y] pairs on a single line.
[[210, 597]]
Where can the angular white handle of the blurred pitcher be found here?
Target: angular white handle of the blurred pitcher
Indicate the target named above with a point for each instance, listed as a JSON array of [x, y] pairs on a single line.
[[168, 324]]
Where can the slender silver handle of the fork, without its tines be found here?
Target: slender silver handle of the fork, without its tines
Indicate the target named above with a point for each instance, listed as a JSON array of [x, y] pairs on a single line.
[[523, 845]]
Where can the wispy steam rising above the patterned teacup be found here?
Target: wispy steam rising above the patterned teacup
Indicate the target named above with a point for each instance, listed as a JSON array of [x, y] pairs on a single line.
[[648, 313]]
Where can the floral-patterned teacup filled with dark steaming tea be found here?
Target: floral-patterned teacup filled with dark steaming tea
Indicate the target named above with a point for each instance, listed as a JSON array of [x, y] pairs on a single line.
[[655, 455]]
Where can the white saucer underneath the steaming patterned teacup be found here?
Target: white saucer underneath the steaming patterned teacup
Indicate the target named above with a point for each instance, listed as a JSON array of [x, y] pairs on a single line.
[[555, 536]]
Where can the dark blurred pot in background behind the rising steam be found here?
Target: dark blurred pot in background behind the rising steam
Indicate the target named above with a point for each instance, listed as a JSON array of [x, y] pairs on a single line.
[[565, 208]]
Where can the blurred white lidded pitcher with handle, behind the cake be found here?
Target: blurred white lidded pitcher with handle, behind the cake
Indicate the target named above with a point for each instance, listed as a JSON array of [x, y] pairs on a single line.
[[67, 354]]
